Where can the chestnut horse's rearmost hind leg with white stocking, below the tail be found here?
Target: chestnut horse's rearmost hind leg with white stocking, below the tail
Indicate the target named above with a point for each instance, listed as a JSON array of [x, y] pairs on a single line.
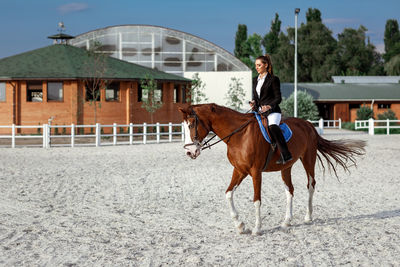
[[309, 165]]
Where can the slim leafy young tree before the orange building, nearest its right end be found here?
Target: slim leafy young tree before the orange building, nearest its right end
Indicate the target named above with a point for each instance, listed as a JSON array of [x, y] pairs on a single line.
[[151, 97]]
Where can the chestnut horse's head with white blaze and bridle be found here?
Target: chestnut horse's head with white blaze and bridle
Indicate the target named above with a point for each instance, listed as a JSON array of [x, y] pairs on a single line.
[[195, 131]]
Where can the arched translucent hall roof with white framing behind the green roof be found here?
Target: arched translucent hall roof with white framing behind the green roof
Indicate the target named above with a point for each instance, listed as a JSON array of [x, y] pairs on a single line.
[[161, 48]]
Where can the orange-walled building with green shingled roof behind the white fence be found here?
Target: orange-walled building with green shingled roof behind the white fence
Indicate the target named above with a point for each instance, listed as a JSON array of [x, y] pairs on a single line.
[[50, 82]]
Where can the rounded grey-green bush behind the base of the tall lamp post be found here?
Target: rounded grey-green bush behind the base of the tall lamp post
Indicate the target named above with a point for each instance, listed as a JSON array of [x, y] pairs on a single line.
[[306, 108]]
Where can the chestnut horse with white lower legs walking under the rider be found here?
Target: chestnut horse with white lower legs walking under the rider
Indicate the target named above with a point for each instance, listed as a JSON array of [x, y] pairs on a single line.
[[248, 151]]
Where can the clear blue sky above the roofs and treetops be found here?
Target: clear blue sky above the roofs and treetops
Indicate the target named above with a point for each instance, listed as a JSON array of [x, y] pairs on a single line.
[[25, 24]]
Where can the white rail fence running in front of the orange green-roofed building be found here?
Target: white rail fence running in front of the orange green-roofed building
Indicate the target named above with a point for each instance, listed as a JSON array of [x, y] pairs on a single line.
[[142, 133]]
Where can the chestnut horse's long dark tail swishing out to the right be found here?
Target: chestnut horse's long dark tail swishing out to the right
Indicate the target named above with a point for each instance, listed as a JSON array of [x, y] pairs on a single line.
[[341, 152]]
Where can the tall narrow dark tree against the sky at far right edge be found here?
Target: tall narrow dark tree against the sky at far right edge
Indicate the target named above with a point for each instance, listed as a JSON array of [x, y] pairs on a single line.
[[391, 39]]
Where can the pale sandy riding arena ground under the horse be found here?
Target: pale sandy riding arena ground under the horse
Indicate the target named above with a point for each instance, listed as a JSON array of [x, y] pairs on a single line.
[[150, 205]]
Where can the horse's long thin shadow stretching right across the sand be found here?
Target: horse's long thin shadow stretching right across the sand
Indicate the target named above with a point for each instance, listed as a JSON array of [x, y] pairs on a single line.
[[332, 221]]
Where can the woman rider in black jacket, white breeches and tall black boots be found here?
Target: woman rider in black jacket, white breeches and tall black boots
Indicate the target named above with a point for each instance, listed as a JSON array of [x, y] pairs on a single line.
[[266, 99]]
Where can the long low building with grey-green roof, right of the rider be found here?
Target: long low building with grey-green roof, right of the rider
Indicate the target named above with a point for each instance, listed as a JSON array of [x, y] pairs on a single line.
[[342, 99]]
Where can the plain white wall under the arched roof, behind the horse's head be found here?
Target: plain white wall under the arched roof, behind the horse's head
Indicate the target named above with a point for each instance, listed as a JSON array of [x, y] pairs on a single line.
[[217, 84]]
